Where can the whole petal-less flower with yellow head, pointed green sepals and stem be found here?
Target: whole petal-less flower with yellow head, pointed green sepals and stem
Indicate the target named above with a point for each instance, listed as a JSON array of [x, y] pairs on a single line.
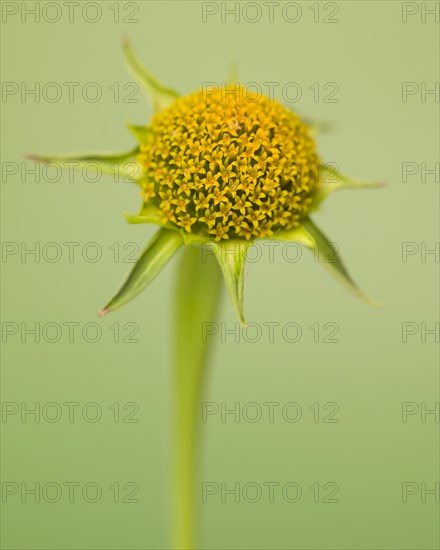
[[219, 168]]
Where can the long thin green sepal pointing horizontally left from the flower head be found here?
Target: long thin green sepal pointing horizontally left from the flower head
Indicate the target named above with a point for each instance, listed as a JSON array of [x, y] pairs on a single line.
[[123, 167]]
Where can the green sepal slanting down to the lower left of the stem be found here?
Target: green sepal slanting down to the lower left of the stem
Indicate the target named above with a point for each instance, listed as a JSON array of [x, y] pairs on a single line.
[[157, 253]]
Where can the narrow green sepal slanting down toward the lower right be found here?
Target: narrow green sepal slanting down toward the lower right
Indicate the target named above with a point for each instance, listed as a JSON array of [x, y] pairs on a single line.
[[325, 252]]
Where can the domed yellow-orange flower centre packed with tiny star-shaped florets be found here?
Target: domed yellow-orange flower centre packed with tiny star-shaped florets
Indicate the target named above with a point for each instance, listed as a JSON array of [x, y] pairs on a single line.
[[229, 164]]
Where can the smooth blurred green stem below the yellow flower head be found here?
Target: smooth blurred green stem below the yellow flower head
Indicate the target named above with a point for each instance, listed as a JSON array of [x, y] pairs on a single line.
[[197, 291]]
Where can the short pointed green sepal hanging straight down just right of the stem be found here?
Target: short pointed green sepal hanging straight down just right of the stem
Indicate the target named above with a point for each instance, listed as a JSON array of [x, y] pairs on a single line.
[[231, 256]]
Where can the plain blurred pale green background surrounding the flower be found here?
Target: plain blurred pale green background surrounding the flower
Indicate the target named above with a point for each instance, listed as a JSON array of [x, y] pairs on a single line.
[[370, 452]]
